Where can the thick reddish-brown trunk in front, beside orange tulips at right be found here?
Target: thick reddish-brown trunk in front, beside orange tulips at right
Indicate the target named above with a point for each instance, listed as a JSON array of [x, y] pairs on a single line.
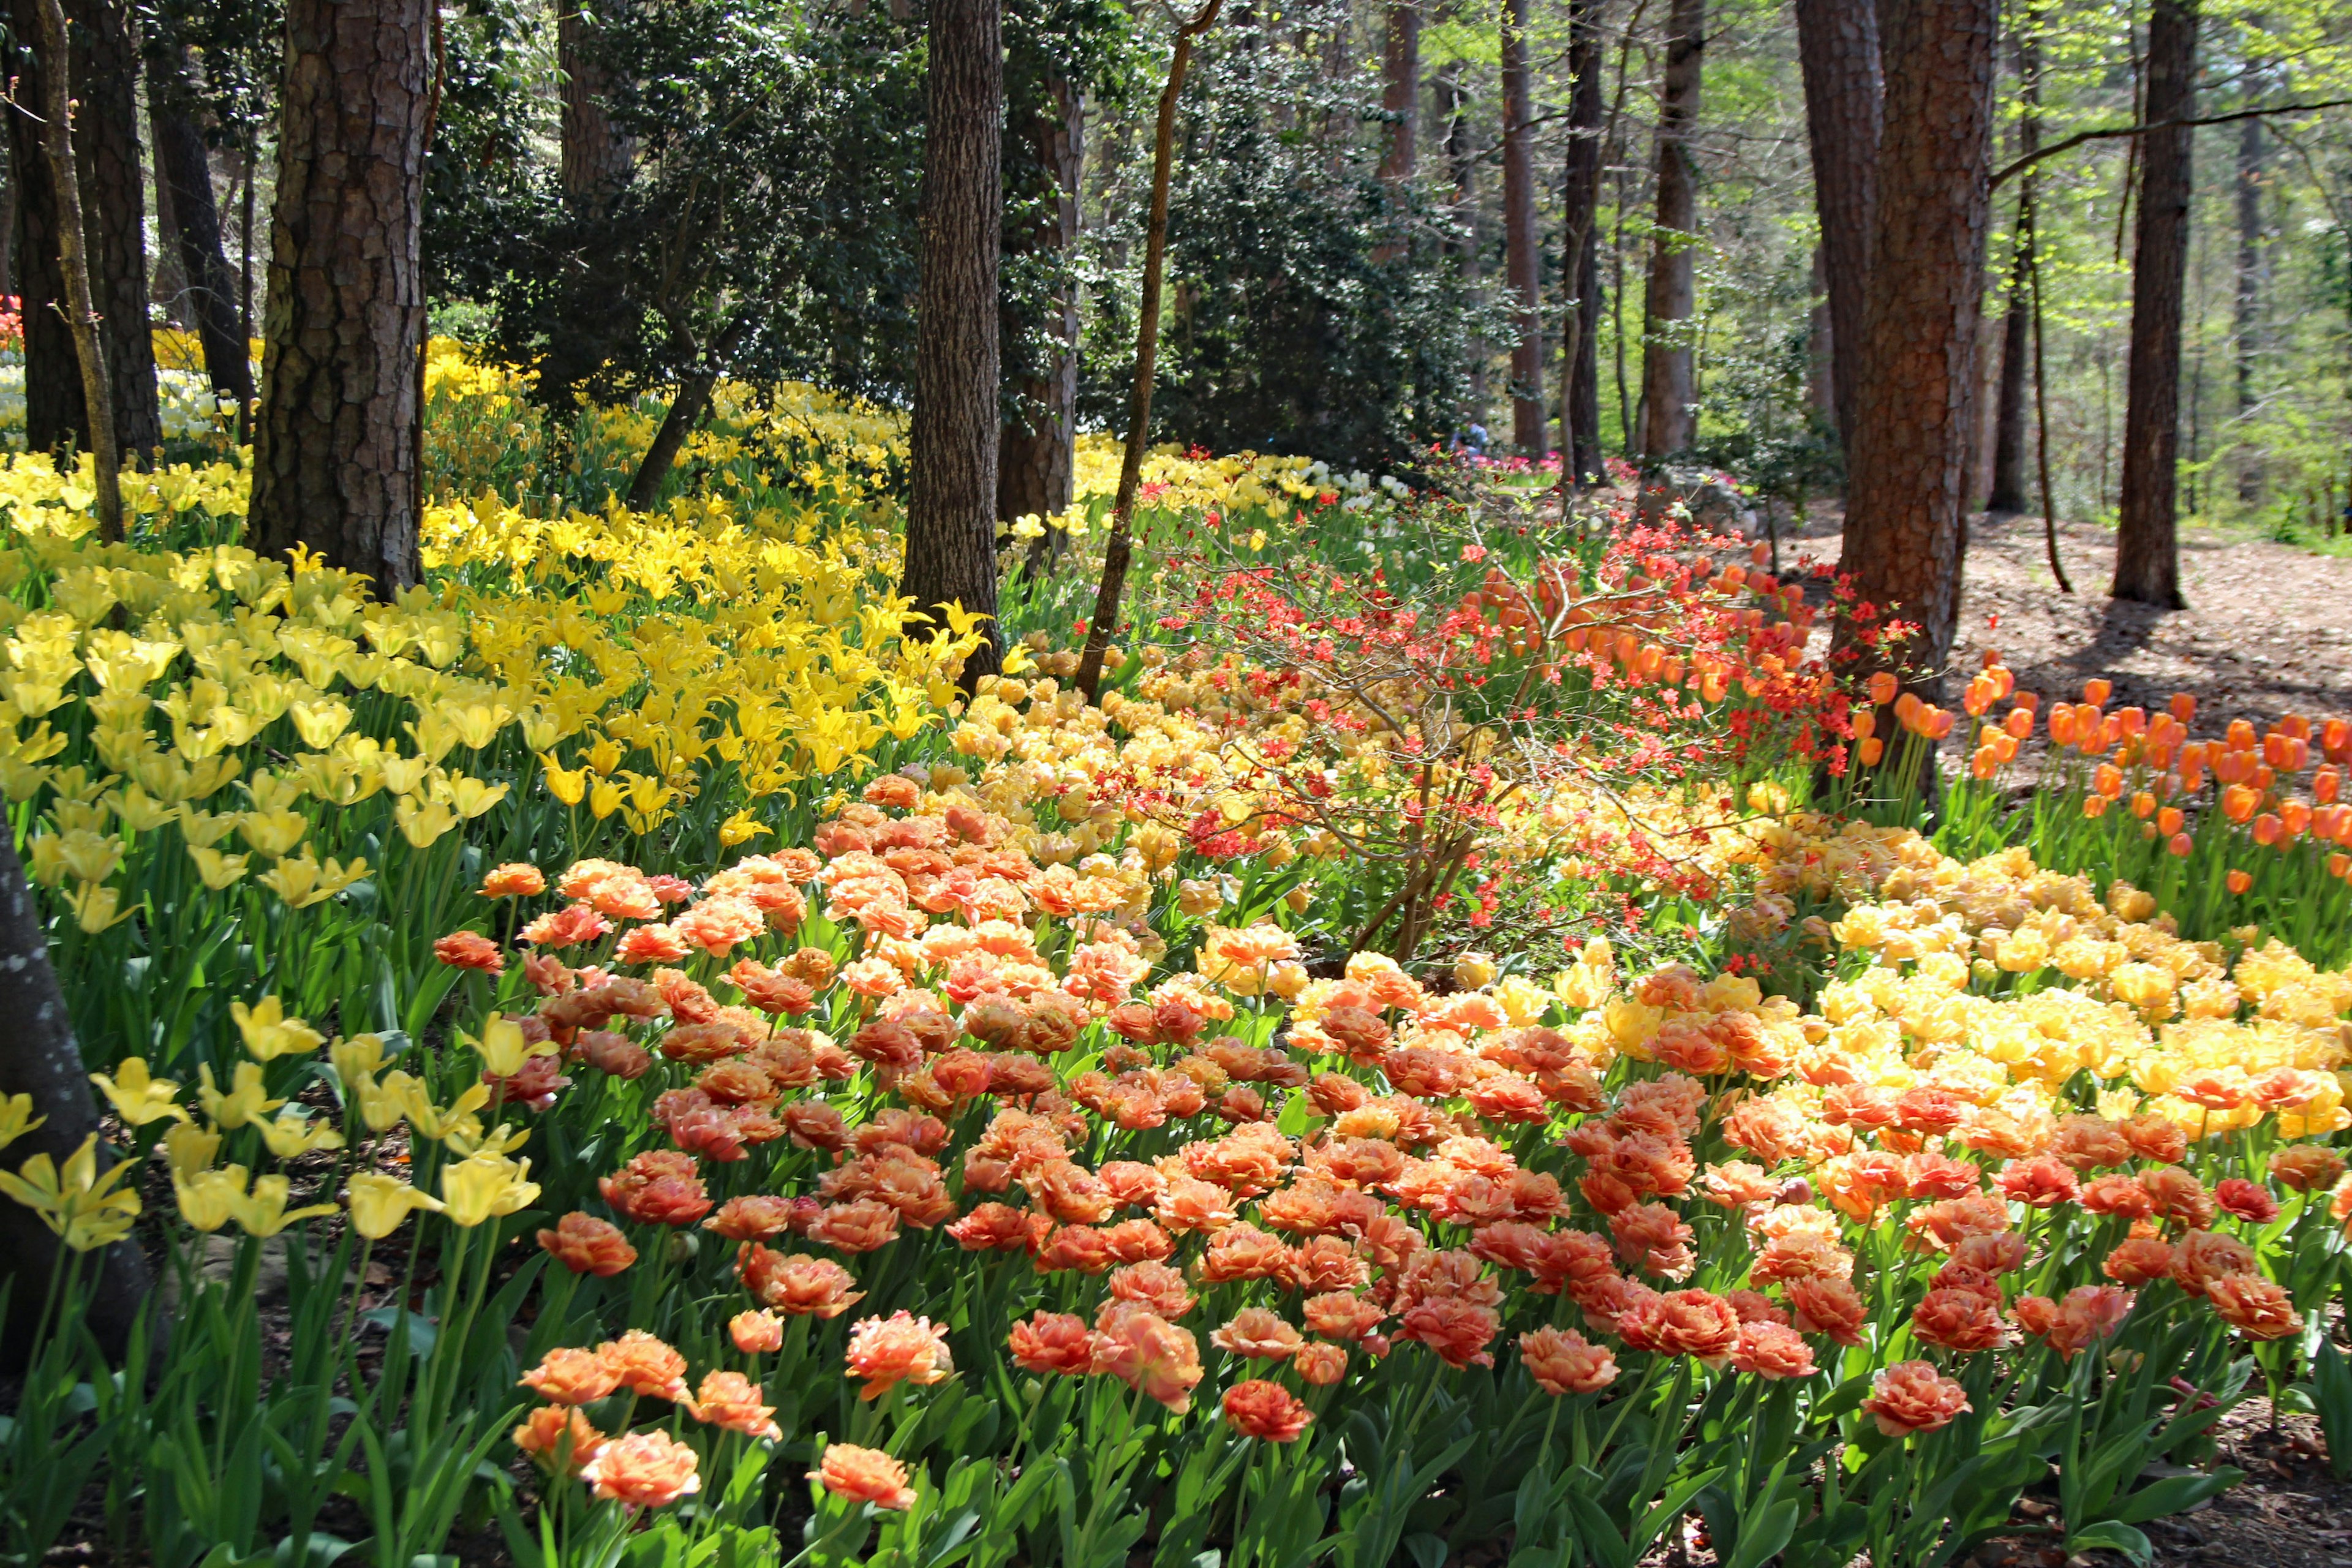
[[1906, 514]]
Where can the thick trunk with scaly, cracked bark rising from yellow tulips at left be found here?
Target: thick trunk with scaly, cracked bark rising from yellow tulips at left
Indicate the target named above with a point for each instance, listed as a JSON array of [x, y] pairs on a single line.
[[335, 453]]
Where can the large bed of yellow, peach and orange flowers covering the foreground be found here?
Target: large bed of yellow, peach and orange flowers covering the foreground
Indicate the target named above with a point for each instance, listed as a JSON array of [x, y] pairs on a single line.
[[615, 1061]]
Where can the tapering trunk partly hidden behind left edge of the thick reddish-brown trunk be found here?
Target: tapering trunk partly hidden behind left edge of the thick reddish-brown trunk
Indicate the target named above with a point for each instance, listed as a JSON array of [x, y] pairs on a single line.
[[1838, 48]]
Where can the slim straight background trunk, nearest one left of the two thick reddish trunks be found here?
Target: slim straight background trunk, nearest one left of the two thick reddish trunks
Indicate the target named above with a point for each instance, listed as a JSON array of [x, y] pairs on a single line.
[[1669, 420]]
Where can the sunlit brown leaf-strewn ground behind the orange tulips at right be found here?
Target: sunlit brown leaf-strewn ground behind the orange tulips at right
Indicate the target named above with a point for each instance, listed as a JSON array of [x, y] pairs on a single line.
[[2269, 629]]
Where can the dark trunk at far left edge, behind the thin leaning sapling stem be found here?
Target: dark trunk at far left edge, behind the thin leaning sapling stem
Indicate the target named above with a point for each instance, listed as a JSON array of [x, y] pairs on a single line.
[[105, 72]]
